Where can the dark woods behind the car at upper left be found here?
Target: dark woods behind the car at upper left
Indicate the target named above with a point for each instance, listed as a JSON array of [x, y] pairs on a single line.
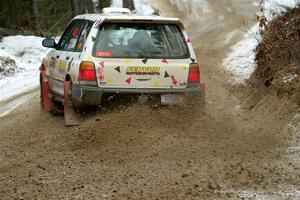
[[45, 17]]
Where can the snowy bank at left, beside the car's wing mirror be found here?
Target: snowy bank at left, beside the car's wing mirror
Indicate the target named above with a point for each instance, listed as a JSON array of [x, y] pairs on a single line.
[[27, 52]]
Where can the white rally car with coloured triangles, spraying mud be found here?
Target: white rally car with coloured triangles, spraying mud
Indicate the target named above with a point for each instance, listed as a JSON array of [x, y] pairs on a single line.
[[118, 52]]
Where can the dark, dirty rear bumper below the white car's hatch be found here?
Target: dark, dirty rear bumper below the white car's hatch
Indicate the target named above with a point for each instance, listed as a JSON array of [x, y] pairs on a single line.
[[92, 95]]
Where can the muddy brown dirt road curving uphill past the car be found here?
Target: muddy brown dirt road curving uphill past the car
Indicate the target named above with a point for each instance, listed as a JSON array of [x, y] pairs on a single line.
[[237, 146]]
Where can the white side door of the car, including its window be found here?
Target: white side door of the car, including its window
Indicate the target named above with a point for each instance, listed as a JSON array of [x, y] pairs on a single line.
[[61, 56]]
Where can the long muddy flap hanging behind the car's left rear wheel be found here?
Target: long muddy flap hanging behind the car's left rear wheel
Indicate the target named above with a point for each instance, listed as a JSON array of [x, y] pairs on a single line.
[[71, 117]]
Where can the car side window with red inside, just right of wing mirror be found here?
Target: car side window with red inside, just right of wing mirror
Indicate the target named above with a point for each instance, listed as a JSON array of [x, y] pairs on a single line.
[[70, 37]]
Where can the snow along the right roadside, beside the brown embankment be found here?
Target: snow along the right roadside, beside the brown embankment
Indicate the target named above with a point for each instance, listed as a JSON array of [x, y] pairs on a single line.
[[241, 60]]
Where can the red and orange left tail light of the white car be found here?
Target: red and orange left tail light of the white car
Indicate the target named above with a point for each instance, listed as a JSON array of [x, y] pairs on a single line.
[[87, 71]]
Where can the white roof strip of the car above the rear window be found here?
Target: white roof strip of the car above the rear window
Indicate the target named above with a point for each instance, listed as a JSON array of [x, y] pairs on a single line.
[[119, 16]]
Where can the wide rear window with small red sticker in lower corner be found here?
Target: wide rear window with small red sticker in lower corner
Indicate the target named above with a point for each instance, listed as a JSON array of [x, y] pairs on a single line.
[[140, 40]]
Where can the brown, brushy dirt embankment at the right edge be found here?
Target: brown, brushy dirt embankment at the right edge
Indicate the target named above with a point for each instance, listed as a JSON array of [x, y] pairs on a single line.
[[278, 56]]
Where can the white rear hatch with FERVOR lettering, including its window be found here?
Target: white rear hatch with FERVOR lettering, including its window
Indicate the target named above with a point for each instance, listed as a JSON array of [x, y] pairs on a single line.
[[141, 55]]
